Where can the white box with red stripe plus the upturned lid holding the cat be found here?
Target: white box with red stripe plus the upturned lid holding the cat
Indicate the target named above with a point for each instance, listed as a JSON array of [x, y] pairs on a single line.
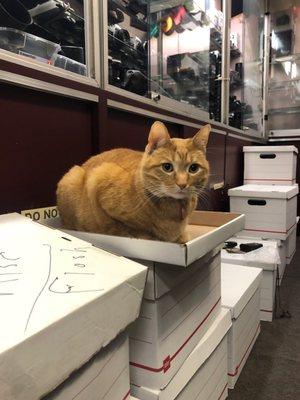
[[173, 317]]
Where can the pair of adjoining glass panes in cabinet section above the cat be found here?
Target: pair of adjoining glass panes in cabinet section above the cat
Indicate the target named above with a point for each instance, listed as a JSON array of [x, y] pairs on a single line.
[[168, 51]]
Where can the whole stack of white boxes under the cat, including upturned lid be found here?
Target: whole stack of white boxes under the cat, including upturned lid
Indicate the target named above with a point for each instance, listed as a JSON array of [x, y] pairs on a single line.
[[178, 346]]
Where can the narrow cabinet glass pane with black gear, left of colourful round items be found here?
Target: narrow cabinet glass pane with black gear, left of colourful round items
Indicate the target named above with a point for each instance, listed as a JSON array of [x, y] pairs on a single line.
[[128, 45]]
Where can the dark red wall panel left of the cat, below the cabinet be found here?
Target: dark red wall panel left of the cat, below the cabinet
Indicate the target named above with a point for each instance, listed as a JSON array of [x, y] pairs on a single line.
[[42, 135]]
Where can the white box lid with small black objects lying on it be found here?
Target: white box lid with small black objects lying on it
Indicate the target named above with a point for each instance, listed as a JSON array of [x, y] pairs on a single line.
[[266, 257]]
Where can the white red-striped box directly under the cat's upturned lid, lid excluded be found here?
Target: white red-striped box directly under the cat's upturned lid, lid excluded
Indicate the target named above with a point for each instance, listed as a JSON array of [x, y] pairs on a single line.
[[170, 326]]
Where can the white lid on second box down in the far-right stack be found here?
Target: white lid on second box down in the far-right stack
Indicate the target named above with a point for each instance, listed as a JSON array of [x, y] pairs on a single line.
[[265, 191]]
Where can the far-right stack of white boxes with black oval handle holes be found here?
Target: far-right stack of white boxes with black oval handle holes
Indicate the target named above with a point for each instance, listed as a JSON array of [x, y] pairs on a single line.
[[269, 195]]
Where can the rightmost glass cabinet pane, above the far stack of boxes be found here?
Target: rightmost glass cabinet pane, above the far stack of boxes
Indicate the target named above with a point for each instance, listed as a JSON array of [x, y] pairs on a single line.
[[284, 78]]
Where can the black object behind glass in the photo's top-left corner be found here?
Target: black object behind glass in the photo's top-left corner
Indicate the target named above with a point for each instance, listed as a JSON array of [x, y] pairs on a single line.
[[13, 14]]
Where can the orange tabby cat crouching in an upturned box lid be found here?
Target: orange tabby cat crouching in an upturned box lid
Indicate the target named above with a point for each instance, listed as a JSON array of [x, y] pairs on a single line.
[[130, 193]]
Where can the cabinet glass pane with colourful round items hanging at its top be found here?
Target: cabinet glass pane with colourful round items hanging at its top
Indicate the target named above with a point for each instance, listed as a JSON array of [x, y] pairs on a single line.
[[186, 52]]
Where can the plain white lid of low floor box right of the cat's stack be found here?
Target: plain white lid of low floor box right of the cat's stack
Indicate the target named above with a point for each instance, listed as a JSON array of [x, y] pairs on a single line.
[[238, 285]]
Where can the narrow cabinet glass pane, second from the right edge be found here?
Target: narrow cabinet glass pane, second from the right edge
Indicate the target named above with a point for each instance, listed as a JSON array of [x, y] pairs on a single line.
[[246, 66]]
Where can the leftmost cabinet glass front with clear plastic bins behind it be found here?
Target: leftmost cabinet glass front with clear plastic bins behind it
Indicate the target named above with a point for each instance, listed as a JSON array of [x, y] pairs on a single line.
[[52, 32]]
